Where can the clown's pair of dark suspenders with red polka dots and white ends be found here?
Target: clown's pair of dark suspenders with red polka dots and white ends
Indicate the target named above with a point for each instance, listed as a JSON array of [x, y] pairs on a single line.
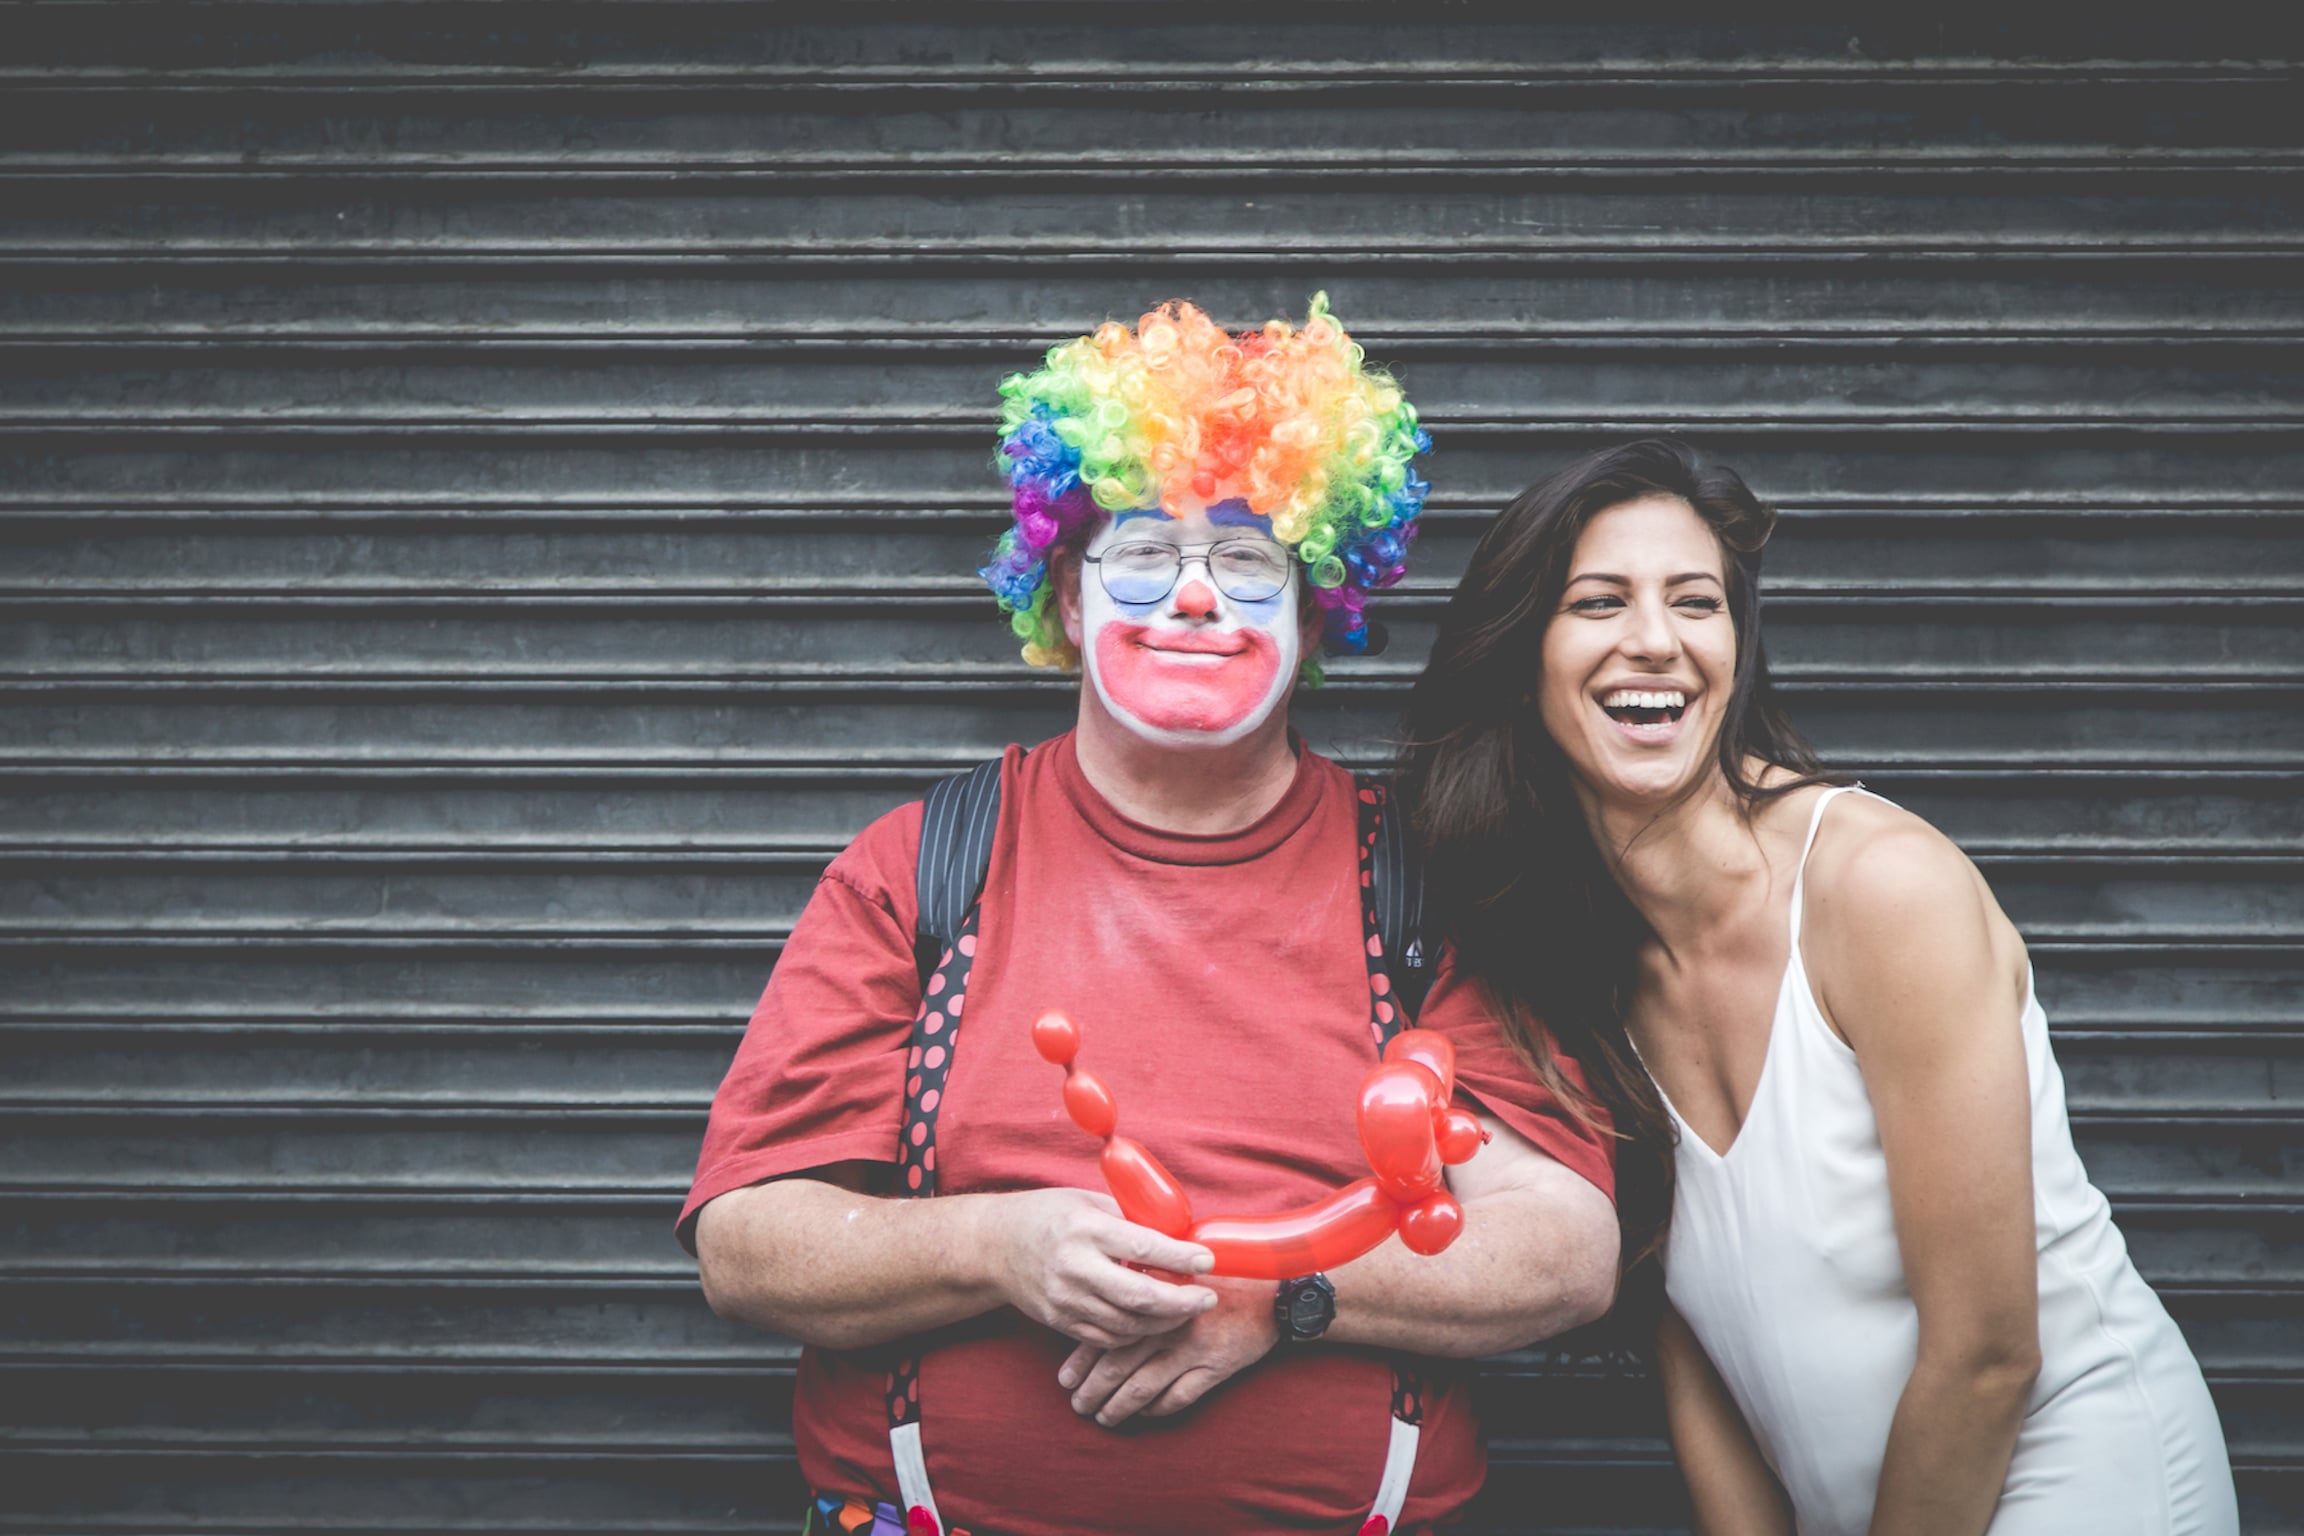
[[937, 1035]]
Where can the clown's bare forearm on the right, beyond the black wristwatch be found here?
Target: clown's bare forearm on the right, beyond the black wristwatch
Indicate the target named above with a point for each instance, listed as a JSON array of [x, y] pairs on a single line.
[[1529, 1265]]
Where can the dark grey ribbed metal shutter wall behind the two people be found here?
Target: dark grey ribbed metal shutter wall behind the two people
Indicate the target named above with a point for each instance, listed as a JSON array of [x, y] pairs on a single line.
[[487, 499]]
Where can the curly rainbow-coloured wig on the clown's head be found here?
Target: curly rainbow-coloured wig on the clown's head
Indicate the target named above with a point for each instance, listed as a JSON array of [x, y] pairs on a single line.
[[1287, 418]]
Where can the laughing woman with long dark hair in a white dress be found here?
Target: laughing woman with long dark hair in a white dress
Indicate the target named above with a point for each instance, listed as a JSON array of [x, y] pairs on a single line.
[[1893, 1300]]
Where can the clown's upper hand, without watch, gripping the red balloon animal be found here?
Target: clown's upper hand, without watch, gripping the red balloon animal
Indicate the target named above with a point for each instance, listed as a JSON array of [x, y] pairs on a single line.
[[1066, 1259]]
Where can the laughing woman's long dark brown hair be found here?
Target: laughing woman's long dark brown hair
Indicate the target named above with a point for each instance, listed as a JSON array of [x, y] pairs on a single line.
[[1513, 874]]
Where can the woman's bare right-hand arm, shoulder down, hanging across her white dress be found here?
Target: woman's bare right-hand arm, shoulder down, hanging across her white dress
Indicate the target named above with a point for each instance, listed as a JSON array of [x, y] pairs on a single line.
[[1923, 975]]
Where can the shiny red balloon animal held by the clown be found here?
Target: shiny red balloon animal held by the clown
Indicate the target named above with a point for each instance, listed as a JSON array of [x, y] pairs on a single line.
[[1407, 1130]]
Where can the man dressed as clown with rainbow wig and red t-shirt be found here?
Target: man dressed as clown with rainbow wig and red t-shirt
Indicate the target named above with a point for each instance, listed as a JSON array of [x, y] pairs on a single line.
[[1197, 517]]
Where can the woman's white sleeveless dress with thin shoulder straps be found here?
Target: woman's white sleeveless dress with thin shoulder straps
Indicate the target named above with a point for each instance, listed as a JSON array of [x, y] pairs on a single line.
[[1782, 1256]]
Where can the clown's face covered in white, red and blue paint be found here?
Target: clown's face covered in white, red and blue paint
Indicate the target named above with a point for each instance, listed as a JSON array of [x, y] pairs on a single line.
[[1197, 667]]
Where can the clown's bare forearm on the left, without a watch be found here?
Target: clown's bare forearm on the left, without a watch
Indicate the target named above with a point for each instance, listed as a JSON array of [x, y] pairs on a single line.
[[844, 1270]]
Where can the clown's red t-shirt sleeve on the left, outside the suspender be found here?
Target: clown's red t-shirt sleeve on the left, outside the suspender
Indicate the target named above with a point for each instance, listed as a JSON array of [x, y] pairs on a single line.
[[819, 1077]]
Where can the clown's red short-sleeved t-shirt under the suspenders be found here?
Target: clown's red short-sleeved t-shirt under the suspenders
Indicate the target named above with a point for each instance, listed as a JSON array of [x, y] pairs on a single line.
[[1222, 996]]
